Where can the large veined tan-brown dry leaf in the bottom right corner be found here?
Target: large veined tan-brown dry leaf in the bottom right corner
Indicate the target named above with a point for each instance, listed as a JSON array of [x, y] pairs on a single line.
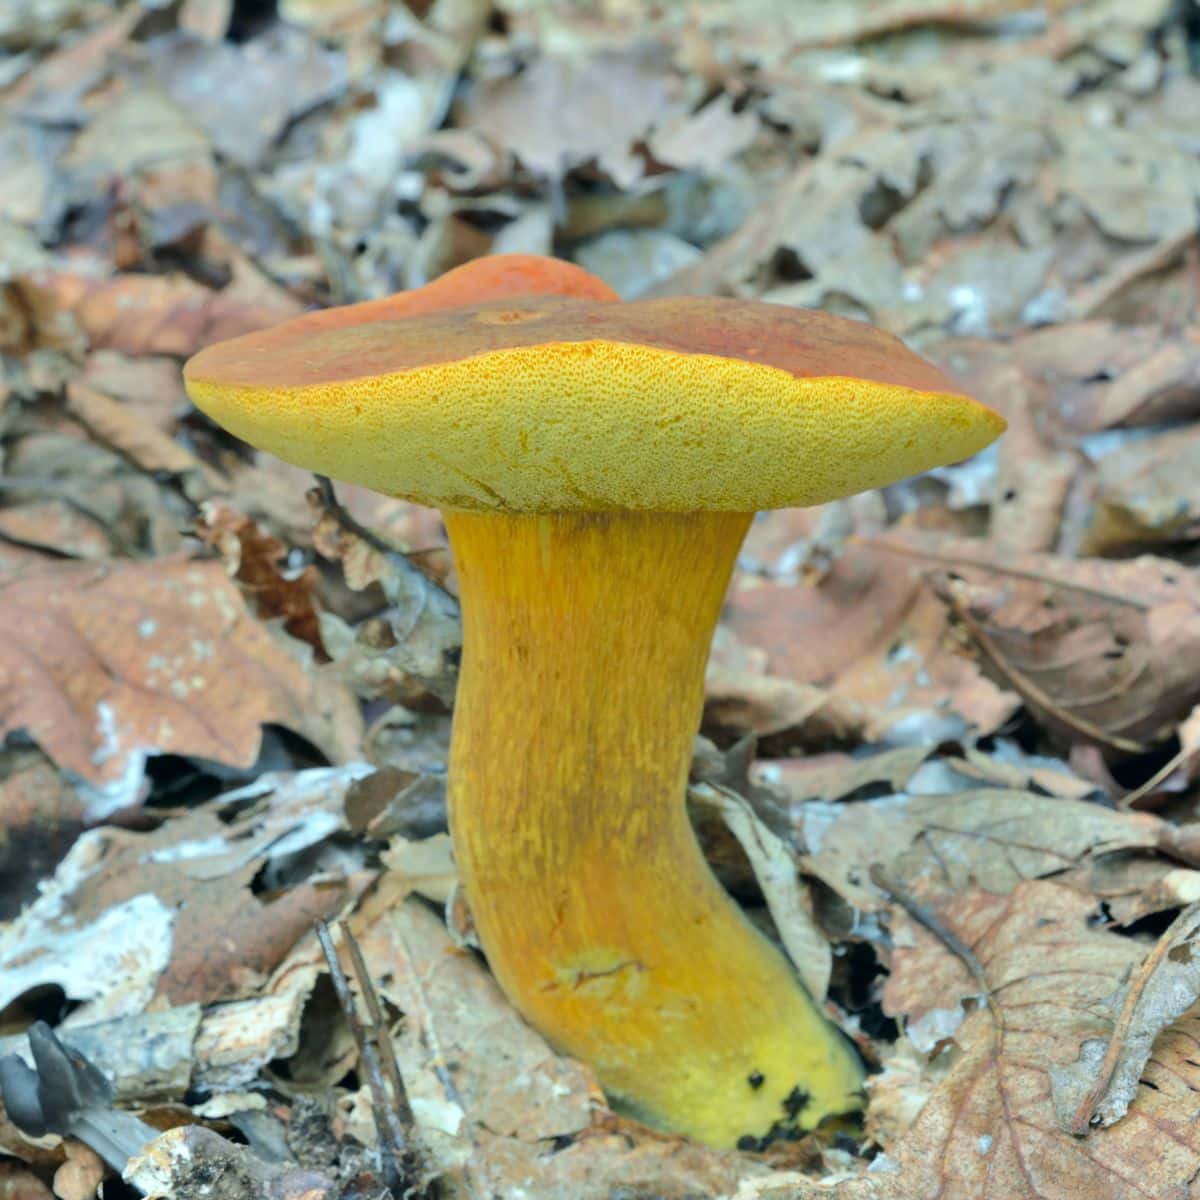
[[991, 1127]]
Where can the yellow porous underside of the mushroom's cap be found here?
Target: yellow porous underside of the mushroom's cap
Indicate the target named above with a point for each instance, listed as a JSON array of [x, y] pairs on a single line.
[[589, 425]]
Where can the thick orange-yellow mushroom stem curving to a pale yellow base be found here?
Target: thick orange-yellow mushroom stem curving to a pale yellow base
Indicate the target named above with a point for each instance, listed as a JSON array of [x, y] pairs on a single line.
[[585, 643]]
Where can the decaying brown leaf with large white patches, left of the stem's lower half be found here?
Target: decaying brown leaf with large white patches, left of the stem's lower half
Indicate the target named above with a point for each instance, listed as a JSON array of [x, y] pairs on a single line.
[[130, 917]]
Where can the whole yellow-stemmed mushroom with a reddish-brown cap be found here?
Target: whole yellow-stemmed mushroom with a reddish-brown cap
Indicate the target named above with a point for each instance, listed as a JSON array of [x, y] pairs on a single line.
[[597, 466]]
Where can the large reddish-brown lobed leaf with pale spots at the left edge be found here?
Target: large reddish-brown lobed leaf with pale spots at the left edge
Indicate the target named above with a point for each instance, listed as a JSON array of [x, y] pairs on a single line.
[[106, 665]]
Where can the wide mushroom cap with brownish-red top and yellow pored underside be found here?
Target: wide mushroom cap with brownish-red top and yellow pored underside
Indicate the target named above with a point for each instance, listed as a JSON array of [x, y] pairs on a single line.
[[544, 404]]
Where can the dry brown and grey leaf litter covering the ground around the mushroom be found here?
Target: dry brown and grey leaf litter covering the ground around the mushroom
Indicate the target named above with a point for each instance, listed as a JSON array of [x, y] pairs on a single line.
[[952, 725]]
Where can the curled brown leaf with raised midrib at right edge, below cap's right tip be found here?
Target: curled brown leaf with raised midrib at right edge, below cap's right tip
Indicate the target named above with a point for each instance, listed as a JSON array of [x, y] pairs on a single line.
[[1102, 652]]
